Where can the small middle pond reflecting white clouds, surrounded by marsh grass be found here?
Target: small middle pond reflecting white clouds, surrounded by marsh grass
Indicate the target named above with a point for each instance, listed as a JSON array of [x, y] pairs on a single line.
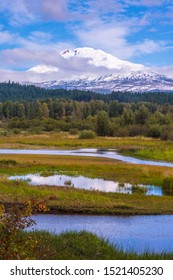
[[82, 182]]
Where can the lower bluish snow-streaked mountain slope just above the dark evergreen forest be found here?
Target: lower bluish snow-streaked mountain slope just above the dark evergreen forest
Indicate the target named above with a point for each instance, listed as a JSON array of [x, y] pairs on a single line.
[[136, 81]]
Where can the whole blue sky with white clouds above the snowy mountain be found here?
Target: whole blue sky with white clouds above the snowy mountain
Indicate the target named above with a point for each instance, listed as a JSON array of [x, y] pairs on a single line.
[[33, 31]]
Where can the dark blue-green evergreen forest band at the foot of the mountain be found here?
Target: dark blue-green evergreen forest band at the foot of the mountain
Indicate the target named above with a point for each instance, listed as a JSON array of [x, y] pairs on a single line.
[[16, 92]]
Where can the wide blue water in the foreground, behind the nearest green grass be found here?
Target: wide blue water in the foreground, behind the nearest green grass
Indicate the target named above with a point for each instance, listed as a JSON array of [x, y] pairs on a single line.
[[137, 233]]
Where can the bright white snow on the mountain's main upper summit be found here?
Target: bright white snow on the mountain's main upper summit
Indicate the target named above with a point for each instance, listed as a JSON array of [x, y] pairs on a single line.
[[101, 58]]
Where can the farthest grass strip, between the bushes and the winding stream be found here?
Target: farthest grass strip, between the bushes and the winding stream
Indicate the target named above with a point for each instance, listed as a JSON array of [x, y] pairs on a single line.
[[136, 146]]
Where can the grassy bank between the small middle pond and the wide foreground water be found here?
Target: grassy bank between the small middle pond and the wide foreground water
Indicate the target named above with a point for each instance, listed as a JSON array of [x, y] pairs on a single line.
[[71, 200]]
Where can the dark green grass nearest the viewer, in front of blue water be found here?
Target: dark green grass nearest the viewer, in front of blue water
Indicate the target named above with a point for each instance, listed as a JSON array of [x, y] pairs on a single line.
[[80, 246]]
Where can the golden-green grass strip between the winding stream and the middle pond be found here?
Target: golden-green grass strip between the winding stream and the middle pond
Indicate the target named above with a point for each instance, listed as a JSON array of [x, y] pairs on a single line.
[[89, 167]]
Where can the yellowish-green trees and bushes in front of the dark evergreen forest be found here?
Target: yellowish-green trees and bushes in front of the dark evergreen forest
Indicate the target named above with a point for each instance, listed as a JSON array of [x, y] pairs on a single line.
[[104, 118]]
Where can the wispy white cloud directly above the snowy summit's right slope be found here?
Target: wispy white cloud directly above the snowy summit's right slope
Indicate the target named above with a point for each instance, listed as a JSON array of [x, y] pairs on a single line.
[[112, 37]]
